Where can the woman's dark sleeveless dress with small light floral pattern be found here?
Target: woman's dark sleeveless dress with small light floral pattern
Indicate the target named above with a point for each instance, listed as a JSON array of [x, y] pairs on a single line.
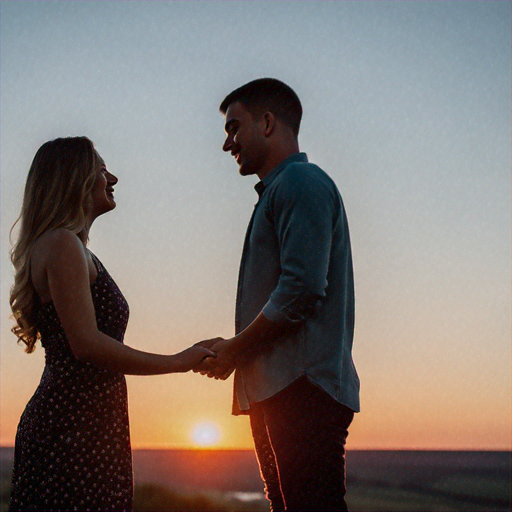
[[72, 448]]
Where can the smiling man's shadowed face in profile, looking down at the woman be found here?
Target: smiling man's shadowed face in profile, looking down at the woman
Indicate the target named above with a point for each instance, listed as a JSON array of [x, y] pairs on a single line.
[[245, 139]]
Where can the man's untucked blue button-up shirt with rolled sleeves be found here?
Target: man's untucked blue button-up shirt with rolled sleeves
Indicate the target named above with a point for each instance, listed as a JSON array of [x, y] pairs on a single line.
[[296, 268]]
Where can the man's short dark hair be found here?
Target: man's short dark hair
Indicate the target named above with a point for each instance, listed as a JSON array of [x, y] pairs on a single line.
[[268, 94]]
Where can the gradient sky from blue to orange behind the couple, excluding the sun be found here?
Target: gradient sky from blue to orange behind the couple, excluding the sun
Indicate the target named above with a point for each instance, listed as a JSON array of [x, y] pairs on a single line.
[[407, 106]]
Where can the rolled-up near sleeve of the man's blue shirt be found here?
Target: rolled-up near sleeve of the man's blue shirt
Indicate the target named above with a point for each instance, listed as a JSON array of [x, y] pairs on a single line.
[[303, 209]]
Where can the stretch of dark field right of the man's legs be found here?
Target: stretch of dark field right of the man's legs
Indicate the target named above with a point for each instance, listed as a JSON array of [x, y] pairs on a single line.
[[429, 481]]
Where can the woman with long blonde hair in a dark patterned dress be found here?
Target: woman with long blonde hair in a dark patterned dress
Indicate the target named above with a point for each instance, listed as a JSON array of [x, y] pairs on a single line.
[[72, 447]]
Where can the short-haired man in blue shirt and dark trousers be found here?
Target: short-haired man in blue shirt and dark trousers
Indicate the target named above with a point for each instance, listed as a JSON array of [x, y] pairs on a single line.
[[295, 307]]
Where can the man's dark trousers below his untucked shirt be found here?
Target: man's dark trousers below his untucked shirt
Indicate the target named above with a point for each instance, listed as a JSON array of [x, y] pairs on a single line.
[[299, 436]]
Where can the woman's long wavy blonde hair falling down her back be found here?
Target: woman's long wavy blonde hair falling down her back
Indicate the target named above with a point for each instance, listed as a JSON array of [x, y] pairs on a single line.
[[57, 195]]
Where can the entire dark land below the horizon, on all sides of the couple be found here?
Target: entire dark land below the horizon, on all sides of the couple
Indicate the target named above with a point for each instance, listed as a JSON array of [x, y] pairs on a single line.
[[225, 480]]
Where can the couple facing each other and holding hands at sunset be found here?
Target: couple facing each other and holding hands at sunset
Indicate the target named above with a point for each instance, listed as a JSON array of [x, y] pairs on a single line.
[[291, 353]]
